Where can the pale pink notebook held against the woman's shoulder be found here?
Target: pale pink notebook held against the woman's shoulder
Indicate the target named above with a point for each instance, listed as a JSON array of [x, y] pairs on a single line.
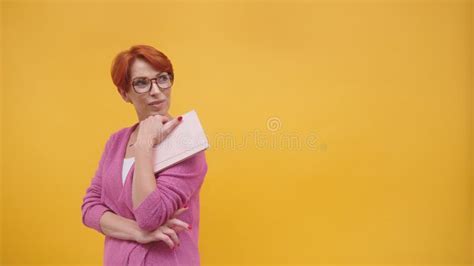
[[187, 139]]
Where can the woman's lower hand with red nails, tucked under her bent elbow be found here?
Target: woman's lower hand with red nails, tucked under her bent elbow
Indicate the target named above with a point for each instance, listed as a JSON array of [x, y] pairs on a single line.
[[166, 232]]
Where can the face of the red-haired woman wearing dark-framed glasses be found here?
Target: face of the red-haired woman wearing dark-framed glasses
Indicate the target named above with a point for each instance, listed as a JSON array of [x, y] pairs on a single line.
[[143, 101]]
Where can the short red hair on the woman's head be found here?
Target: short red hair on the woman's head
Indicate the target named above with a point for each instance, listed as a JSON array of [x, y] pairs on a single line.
[[122, 63]]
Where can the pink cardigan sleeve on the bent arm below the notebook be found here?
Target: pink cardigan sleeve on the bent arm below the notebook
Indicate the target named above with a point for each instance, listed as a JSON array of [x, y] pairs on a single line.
[[174, 188]]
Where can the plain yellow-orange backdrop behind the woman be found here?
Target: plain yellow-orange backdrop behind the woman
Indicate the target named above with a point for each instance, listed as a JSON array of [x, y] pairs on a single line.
[[378, 94]]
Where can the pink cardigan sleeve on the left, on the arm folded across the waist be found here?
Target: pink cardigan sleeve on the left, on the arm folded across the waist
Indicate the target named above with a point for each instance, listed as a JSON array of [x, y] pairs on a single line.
[[92, 207]]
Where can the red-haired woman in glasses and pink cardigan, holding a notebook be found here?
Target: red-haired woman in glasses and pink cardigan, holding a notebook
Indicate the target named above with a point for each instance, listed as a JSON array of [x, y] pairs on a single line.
[[148, 218]]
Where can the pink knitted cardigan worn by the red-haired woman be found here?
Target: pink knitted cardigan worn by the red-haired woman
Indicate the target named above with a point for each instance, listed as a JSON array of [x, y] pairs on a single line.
[[176, 186]]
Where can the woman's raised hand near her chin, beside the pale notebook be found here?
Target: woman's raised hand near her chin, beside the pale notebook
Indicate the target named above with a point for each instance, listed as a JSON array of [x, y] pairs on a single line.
[[154, 129]]
